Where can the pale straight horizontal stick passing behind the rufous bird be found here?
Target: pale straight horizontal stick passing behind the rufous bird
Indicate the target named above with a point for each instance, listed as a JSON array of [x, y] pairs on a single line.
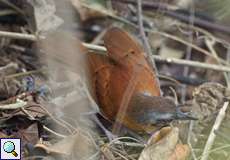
[[190, 63]]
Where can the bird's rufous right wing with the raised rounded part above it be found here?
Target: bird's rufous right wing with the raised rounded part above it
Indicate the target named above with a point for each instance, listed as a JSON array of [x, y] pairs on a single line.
[[130, 67]]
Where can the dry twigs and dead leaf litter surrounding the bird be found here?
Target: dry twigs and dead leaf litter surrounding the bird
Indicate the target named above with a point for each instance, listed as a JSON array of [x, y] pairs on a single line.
[[46, 94]]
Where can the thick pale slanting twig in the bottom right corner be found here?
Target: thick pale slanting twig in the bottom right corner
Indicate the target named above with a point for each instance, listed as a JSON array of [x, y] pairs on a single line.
[[215, 127]]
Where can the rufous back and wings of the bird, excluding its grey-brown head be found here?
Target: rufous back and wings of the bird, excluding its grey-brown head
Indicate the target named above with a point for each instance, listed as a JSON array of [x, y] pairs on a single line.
[[125, 64]]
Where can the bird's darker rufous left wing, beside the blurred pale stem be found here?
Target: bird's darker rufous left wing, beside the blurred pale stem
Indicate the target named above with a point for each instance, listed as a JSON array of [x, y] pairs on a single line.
[[100, 68]]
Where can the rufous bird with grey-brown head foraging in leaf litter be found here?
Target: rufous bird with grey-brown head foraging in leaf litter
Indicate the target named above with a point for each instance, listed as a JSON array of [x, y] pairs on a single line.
[[124, 83]]
